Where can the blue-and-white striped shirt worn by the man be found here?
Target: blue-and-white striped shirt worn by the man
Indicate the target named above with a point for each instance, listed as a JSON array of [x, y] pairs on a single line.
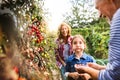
[[112, 71]]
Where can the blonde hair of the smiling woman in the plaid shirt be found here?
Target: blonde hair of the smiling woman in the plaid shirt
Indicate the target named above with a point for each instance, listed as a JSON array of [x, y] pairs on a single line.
[[59, 30]]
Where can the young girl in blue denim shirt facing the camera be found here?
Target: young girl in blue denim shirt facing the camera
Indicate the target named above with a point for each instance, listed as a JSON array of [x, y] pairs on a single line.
[[79, 57]]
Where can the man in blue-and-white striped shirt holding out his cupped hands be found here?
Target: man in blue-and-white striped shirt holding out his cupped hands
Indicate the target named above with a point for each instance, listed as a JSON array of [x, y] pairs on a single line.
[[110, 9]]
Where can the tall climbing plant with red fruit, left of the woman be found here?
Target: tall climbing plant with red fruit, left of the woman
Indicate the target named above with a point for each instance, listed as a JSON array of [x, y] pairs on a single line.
[[37, 47]]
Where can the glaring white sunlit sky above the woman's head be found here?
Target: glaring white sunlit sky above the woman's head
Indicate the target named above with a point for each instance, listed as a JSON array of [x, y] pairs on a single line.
[[56, 9]]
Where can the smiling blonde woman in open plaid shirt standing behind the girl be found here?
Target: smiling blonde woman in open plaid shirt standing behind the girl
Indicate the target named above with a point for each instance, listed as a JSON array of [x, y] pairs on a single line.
[[63, 46]]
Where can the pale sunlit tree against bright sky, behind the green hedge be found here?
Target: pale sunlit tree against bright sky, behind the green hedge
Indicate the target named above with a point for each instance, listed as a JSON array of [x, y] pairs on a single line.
[[82, 13]]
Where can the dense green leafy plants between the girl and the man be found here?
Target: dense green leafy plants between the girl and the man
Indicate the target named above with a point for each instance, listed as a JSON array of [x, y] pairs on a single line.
[[97, 38]]
